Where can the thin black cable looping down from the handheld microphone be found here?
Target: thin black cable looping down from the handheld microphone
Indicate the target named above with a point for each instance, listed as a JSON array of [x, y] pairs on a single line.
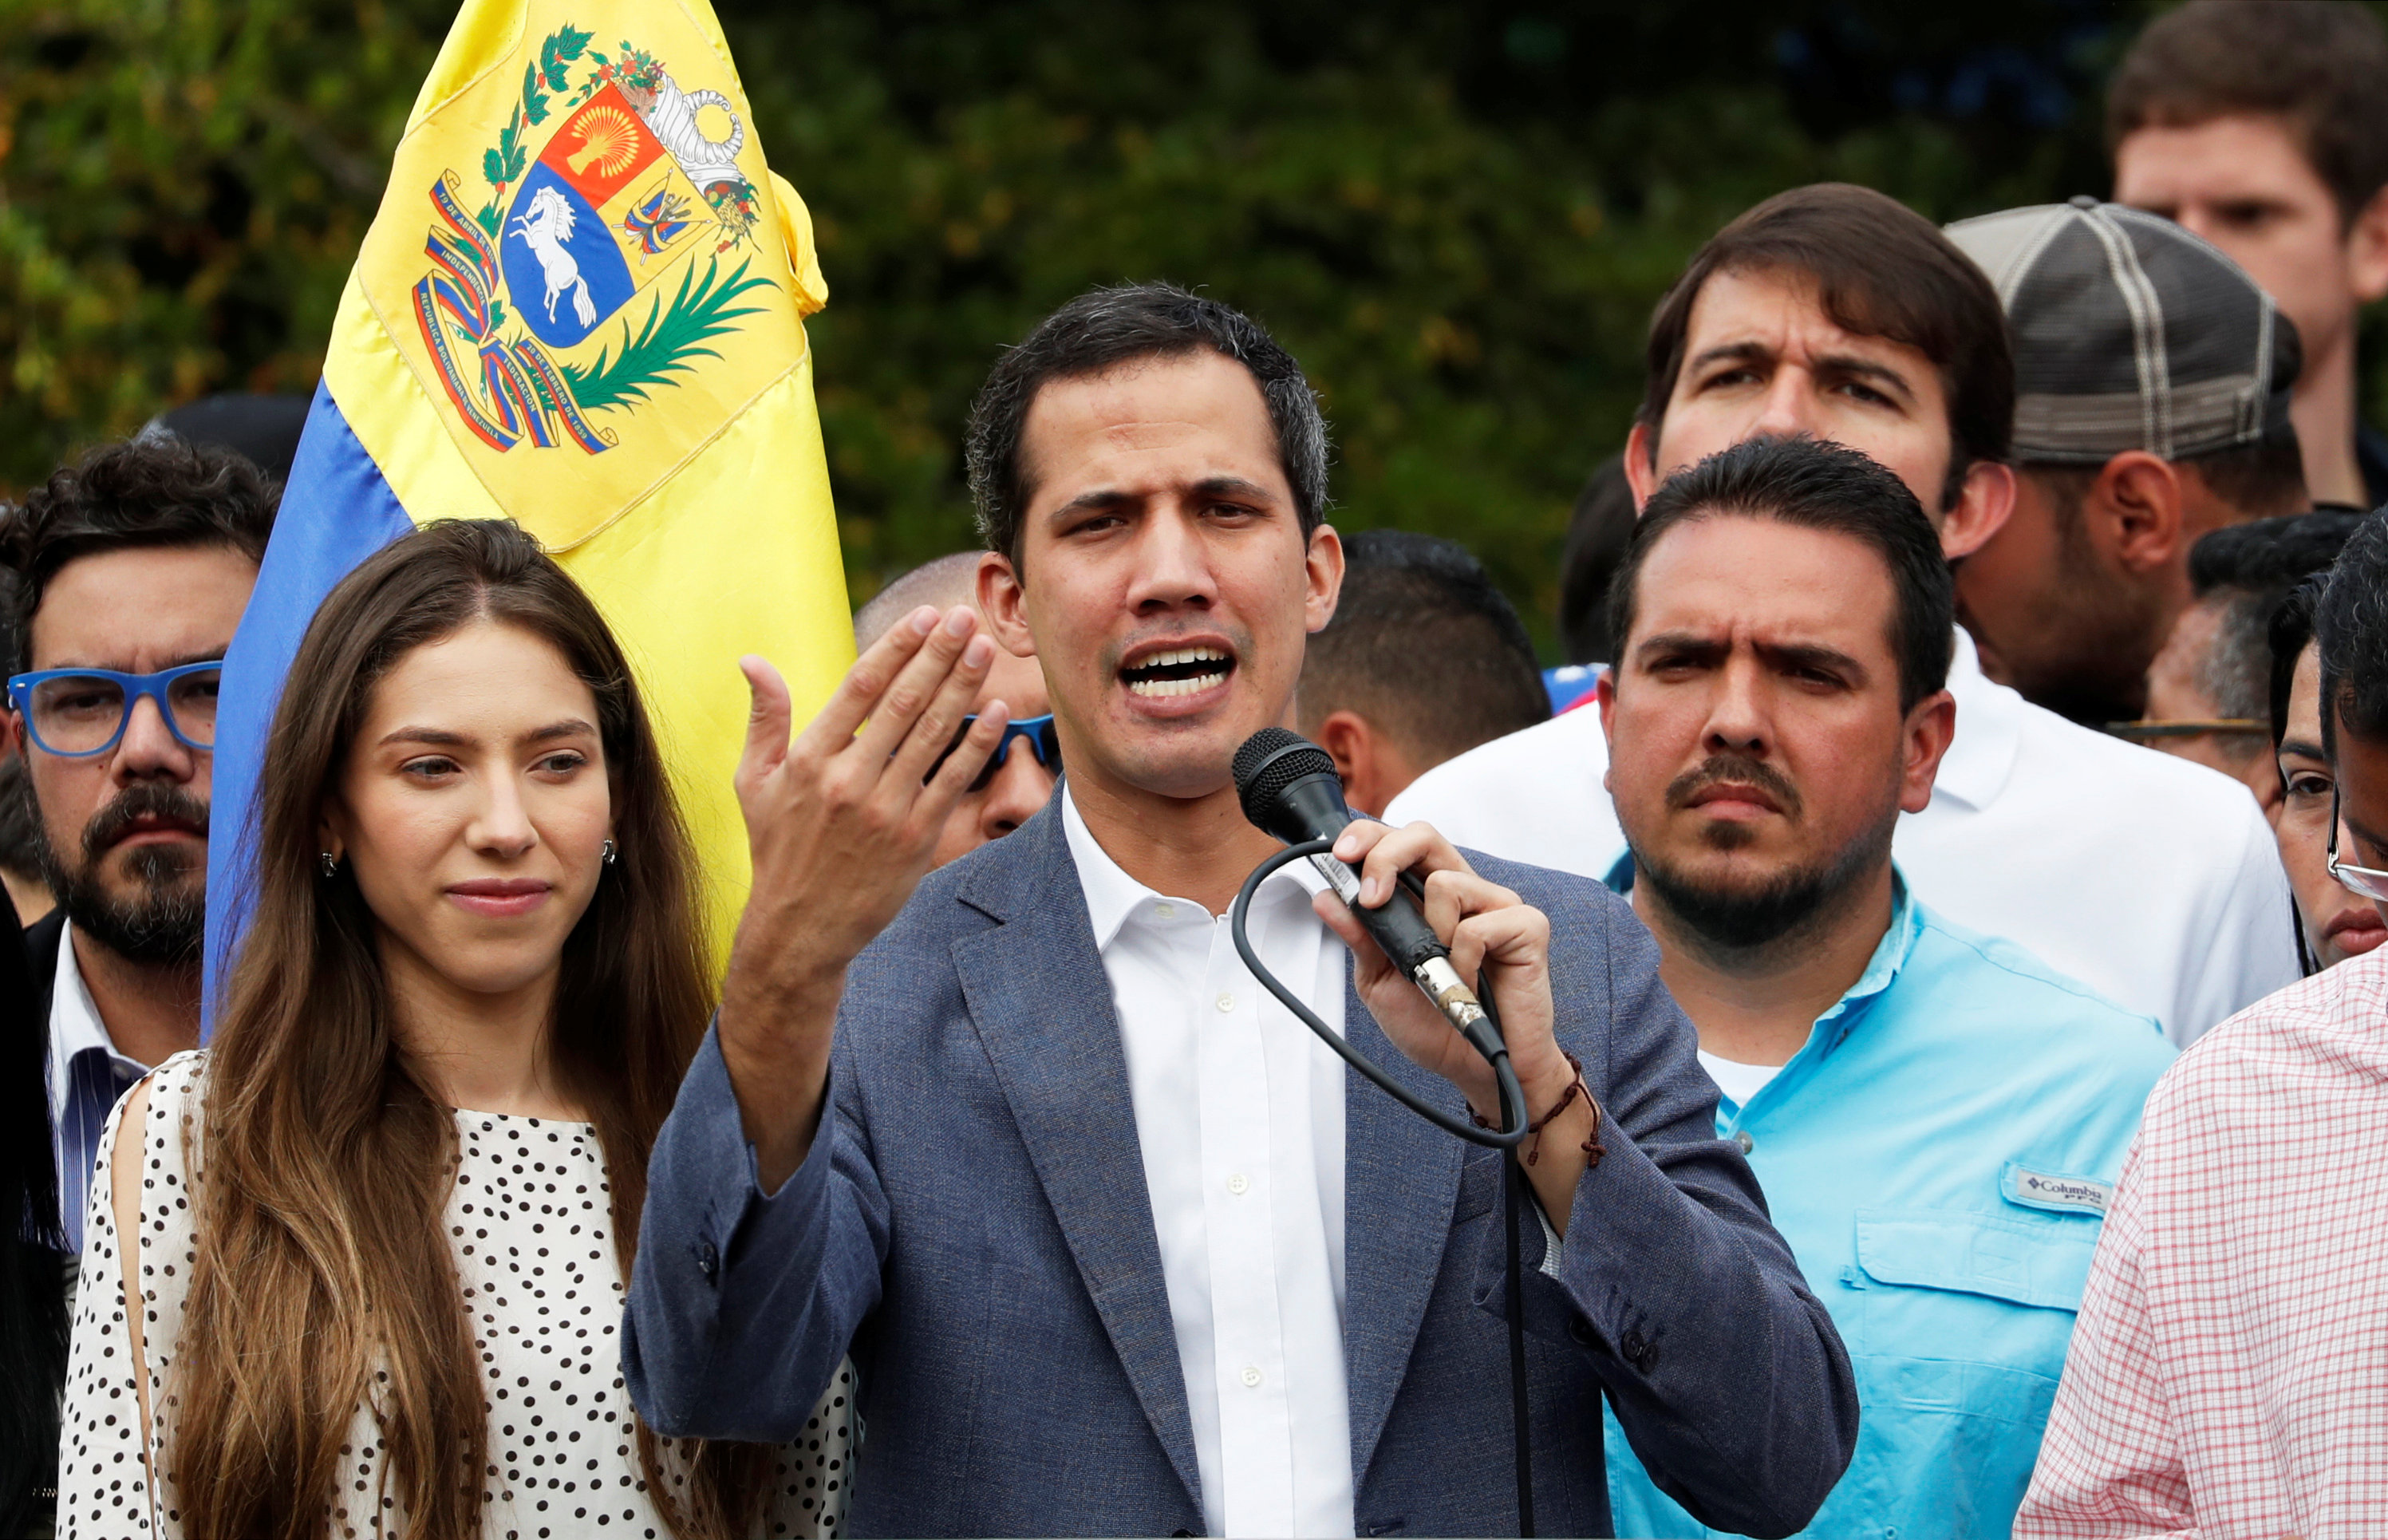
[[1508, 1138]]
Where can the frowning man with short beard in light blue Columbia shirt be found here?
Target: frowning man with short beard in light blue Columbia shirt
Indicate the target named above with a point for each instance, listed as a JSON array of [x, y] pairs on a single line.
[[1935, 1116]]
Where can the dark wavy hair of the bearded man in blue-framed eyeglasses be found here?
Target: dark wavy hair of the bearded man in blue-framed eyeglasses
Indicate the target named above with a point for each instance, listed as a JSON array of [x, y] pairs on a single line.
[[149, 493]]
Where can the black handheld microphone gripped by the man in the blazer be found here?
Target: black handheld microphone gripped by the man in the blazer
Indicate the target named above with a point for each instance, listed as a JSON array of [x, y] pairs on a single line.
[[1291, 789]]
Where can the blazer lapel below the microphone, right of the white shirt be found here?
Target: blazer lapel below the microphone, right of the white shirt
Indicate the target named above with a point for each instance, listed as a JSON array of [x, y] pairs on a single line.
[[1401, 1193]]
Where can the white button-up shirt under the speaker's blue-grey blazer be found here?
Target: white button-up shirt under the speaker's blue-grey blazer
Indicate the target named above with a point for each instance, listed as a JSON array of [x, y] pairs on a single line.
[[1241, 1121]]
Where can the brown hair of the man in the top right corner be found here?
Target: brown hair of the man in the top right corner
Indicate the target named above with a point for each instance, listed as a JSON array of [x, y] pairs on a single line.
[[2313, 63]]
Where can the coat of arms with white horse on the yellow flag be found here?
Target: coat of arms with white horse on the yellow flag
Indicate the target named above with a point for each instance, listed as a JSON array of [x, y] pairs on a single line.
[[596, 261]]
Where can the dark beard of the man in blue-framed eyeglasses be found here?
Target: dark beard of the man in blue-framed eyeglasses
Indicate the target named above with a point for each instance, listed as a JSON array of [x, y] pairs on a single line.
[[166, 918]]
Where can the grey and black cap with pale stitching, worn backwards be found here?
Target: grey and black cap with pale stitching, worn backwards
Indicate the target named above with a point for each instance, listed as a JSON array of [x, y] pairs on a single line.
[[2131, 333]]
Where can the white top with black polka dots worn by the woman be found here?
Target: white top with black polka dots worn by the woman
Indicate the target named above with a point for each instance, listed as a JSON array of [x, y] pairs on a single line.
[[534, 1243]]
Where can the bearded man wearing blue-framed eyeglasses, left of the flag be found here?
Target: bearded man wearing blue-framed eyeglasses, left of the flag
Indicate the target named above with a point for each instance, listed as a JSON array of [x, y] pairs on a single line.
[[133, 577]]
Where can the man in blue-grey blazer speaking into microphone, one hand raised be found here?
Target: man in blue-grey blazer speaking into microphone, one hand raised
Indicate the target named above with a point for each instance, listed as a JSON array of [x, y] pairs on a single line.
[[1114, 1240]]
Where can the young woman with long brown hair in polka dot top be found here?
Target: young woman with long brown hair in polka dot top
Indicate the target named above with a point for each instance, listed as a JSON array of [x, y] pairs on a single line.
[[386, 1219]]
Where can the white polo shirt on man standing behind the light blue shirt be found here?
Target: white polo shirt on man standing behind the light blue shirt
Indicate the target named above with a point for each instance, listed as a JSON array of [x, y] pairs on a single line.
[[2150, 880]]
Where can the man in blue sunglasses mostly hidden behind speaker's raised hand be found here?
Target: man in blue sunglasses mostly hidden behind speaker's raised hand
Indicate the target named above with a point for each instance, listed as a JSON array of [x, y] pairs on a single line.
[[1018, 777]]
